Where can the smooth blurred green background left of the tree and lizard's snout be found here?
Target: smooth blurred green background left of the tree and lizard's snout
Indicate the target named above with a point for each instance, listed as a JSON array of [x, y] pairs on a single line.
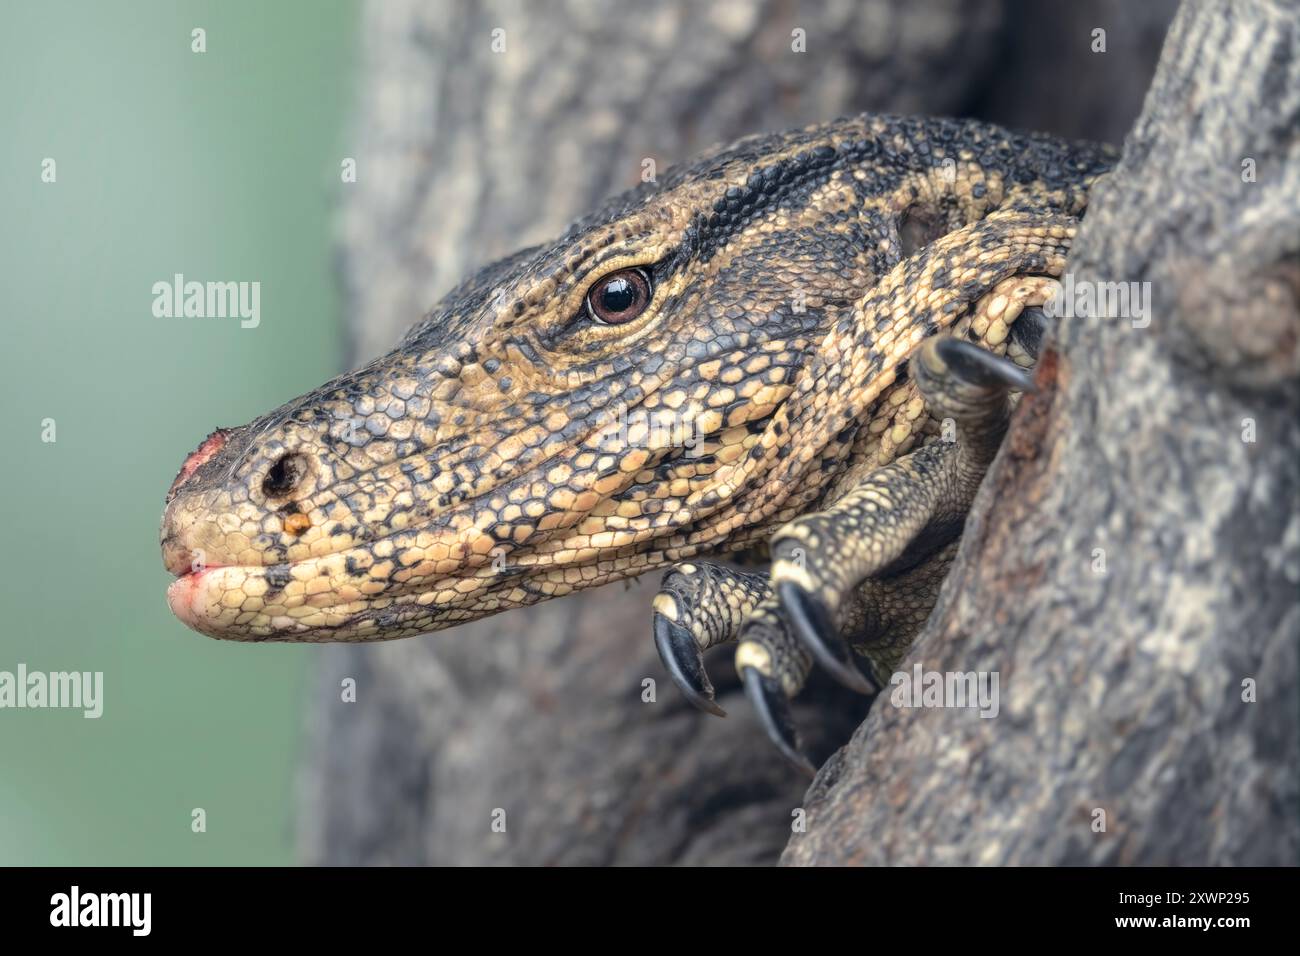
[[223, 166]]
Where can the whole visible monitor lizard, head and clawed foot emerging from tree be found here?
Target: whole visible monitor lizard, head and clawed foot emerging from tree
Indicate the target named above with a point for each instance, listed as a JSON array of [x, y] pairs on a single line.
[[800, 348]]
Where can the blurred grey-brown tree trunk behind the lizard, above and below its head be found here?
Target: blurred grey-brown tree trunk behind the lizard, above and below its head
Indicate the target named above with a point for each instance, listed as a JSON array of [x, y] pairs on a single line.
[[466, 155]]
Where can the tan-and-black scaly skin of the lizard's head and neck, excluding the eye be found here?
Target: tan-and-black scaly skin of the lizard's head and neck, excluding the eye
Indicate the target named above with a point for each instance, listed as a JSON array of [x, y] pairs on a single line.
[[513, 448]]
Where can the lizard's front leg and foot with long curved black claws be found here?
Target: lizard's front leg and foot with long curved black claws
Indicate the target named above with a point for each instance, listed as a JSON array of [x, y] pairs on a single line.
[[866, 572]]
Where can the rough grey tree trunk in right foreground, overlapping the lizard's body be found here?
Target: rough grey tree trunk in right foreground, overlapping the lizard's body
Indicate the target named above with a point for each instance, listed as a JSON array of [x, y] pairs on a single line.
[[1175, 453]]
